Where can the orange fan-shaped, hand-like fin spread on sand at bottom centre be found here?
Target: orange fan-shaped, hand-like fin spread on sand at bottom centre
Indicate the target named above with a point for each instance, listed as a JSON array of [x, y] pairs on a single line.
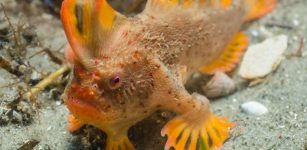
[[208, 135]]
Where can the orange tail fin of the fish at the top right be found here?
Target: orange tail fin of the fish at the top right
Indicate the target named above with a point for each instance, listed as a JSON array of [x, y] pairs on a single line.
[[259, 8]]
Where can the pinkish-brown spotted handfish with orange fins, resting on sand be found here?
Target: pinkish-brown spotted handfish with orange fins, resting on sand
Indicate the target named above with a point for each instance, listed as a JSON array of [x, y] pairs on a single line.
[[127, 68]]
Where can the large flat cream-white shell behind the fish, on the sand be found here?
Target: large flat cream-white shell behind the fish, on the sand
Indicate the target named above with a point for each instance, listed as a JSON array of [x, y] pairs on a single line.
[[263, 58]]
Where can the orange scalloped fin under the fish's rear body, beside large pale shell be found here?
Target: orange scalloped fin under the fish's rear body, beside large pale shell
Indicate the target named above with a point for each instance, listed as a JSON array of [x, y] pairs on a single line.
[[229, 57]]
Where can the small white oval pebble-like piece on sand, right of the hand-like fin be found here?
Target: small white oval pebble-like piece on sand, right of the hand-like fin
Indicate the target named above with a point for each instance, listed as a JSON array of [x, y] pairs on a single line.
[[254, 108]]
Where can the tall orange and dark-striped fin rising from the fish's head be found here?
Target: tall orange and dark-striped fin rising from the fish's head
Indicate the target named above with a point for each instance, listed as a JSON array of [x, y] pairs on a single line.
[[87, 24]]
